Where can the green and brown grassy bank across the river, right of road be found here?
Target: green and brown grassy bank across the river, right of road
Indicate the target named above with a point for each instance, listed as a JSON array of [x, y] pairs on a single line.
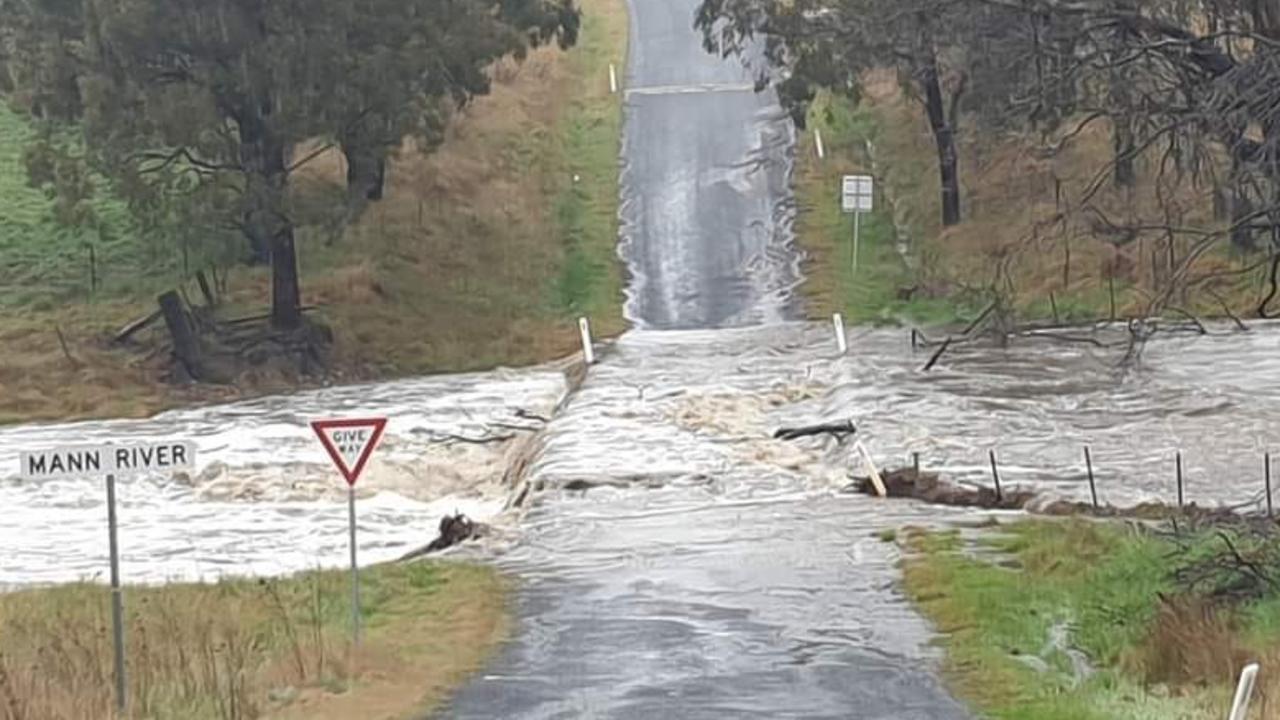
[[1021, 213]]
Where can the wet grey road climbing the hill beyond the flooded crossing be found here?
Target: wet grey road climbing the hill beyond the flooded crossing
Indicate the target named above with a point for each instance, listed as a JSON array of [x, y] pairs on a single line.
[[707, 208]]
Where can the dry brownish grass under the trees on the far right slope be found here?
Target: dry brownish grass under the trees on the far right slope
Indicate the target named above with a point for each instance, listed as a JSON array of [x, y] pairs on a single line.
[[1023, 211]]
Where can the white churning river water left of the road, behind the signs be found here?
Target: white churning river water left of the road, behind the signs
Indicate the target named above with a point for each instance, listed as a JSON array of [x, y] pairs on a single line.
[[266, 499]]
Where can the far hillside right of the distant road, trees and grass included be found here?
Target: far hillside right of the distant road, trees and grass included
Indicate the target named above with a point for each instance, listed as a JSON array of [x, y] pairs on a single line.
[[1049, 161]]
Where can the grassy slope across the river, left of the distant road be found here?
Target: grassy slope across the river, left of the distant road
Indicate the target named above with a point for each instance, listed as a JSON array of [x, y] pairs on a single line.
[[483, 254]]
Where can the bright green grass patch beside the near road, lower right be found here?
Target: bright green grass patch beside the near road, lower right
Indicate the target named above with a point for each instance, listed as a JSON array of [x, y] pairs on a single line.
[[1099, 581]]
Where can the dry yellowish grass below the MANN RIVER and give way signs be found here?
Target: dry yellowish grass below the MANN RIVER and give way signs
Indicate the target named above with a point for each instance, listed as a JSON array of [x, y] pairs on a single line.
[[253, 649]]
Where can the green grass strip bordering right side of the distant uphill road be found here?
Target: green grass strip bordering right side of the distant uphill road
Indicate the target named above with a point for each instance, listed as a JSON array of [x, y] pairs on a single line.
[[879, 291]]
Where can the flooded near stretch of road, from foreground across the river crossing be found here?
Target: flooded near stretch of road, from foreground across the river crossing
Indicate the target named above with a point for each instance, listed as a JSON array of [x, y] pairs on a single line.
[[698, 568]]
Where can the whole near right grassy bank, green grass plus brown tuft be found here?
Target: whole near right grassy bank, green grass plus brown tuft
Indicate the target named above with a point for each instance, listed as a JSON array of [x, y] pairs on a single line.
[[1159, 648]]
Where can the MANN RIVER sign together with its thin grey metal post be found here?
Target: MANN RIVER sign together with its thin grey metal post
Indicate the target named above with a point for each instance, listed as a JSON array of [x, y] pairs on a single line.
[[109, 461]]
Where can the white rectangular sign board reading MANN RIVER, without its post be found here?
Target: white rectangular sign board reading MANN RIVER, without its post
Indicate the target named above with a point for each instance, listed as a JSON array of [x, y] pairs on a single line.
[[94, 461]]
